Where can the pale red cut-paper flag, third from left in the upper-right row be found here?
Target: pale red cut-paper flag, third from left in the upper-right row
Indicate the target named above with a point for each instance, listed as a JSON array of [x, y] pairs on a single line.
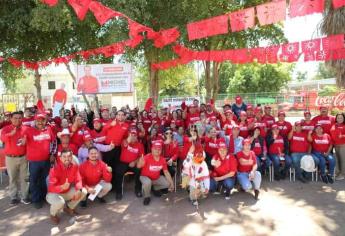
[[272, 12]]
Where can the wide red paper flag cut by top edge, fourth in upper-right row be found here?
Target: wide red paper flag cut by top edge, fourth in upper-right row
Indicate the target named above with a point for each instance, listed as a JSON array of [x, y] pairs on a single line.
[[306, 7]]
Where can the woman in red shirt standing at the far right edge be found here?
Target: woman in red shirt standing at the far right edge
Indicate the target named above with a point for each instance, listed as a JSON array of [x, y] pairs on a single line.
[[338, 137]]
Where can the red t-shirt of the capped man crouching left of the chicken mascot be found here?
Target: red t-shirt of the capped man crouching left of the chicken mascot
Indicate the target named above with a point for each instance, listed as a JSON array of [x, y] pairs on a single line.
[[153, 168]]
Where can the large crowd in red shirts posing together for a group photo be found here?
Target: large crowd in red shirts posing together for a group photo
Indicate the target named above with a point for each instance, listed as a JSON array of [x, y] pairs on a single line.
[[77, 156]]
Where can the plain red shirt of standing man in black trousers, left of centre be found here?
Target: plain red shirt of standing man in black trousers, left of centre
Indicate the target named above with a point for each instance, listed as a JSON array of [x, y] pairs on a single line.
[[116, 133]]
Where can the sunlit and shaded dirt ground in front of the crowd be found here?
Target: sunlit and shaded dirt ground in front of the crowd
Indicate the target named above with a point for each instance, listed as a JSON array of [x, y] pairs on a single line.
[[284, 208]]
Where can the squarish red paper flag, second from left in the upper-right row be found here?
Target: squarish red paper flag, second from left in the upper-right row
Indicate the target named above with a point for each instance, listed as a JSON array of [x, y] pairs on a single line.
[[243, 19]]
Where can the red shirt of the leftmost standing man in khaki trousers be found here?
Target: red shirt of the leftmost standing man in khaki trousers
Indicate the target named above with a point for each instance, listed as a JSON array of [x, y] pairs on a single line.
[[11, 147]]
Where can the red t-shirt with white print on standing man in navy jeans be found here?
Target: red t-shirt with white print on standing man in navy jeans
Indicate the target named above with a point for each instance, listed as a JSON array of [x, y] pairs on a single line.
[[38, 143]]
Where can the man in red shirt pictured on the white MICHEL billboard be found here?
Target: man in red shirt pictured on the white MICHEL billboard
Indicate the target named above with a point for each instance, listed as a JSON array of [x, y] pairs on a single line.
[[88, 84]]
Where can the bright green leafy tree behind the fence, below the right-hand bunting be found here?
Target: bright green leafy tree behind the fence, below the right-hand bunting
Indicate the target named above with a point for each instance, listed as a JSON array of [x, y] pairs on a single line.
[[256, 78]]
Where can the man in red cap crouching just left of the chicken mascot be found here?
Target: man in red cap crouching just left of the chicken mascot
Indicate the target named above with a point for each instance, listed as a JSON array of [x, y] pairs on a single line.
[[151, 166]]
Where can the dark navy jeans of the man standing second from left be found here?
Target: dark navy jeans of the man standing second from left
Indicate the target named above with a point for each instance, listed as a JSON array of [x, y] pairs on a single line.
[[39, 171]]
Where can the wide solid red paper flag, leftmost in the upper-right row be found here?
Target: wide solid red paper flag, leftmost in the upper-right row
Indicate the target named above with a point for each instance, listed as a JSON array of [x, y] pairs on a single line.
[[209, 27]]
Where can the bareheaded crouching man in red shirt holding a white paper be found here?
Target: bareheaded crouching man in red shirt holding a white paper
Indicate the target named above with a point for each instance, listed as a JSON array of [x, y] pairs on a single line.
[[95, 172]]
